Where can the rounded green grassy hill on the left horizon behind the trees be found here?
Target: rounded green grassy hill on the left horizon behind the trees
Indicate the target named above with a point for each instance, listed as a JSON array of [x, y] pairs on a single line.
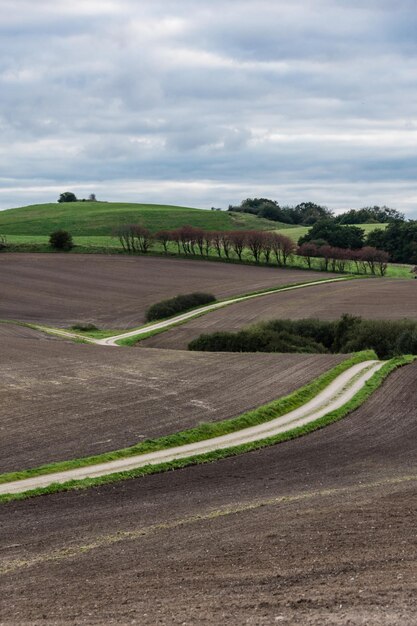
[[98, 218]]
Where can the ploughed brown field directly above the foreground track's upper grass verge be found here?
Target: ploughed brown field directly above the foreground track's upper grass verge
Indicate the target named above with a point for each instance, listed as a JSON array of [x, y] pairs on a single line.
[[60, 400]]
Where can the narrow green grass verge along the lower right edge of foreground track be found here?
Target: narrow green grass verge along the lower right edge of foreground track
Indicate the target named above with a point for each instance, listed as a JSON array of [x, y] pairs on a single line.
[[369, 387]]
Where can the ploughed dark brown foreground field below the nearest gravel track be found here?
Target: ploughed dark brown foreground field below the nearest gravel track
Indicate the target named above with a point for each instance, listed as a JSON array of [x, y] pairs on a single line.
[[320, 530]]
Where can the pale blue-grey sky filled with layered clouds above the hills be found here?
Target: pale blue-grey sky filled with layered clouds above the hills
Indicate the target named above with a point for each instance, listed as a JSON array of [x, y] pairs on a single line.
[[207, 102]]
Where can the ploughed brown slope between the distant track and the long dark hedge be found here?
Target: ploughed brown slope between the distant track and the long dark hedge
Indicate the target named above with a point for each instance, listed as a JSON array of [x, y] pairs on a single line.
[[374, 299]]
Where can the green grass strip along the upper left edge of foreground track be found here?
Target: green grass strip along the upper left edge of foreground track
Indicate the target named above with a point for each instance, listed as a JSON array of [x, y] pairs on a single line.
[[205, 431]]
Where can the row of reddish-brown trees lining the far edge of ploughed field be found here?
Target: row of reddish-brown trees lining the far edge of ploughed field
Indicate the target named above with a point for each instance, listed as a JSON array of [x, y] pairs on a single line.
[[265, 246]]
